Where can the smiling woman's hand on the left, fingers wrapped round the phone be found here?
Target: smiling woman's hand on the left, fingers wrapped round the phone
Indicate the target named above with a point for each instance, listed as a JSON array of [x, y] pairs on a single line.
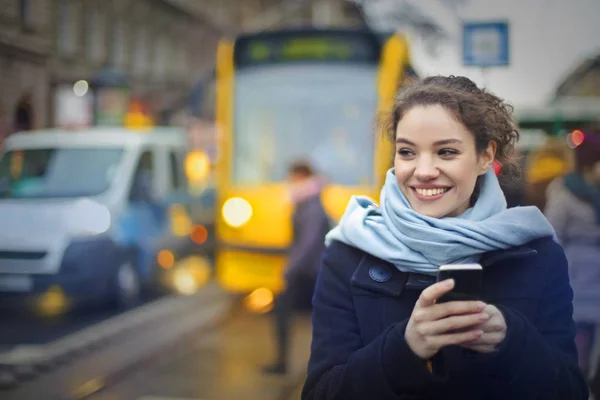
[[433, 326]]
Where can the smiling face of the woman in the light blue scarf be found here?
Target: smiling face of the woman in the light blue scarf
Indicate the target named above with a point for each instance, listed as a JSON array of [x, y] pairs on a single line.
[[436, 163]]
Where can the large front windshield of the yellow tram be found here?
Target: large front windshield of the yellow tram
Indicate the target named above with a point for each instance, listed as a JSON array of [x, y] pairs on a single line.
[[320, 113]]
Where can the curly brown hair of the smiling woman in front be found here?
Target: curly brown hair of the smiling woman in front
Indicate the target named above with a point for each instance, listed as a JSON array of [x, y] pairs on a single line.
[[485, 115]]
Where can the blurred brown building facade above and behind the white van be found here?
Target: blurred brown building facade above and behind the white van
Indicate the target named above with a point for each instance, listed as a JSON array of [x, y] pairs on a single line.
[[46, 46]]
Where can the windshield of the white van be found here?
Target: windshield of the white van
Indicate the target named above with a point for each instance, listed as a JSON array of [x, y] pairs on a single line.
[[58, 172]]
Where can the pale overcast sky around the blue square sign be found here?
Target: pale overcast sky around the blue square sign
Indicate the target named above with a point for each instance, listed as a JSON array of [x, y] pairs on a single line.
[[548, 38]]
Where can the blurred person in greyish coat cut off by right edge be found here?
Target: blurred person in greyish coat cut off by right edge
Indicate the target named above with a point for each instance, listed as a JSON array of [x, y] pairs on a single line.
[[573, 208]]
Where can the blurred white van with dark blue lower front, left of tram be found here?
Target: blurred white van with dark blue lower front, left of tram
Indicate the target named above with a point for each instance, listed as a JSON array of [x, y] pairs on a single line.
[[84, 210]]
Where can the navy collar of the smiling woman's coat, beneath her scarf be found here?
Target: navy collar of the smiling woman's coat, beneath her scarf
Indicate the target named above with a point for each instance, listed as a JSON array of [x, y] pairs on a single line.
[[376, 275]]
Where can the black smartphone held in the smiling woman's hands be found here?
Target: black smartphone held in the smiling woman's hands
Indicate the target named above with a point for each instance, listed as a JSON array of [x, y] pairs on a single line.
[[468, 279]]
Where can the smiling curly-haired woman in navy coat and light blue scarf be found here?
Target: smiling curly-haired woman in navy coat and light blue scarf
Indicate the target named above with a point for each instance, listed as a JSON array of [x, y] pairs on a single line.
[[378, 330]]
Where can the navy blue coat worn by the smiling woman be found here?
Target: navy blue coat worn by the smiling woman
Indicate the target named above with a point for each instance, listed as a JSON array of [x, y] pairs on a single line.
[[362, 304]]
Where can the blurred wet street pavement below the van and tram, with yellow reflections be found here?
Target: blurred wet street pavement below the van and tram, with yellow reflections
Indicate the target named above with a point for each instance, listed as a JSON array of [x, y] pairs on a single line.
[[203, 346]]
